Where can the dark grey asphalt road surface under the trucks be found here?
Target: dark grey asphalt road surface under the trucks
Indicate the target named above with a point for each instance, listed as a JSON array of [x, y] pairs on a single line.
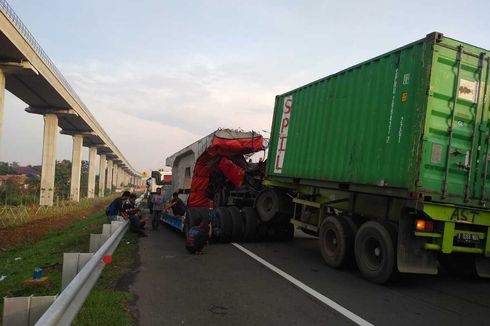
[[227, 287]]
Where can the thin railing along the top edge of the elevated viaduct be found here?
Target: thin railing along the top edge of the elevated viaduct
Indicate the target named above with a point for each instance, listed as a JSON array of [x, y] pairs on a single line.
[[12, 16]]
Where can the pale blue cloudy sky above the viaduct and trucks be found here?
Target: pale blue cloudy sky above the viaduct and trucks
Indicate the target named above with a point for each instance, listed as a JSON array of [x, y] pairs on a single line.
[[158, 75]]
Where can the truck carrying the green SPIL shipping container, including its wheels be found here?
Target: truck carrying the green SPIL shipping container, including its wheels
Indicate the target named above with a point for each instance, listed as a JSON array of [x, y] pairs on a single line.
[[386, 162]]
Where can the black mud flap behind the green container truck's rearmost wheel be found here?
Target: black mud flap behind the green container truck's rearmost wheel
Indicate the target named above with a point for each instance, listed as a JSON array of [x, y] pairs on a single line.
[[411, 255]]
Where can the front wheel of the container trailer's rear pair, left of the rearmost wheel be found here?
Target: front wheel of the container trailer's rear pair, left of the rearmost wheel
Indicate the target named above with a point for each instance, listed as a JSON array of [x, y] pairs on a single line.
[[336, 241]]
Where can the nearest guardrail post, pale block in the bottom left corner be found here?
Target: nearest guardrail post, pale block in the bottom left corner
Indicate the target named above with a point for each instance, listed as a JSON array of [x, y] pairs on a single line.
[[22, 311]]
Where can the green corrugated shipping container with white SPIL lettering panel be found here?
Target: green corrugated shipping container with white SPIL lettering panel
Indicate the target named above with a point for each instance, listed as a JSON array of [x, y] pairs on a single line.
[[412, 123]]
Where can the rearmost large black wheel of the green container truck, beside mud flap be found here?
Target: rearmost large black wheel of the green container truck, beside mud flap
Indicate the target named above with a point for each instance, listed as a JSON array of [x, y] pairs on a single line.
[[375, 251]]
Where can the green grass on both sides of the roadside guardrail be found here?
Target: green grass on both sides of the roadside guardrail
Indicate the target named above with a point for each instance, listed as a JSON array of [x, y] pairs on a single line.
[[106, 305]]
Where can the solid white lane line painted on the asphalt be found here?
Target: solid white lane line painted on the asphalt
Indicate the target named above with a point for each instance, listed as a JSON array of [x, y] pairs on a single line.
[[332, 304]]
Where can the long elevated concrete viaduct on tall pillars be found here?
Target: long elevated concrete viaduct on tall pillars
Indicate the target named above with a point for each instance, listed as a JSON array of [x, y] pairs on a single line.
[[28, 73]]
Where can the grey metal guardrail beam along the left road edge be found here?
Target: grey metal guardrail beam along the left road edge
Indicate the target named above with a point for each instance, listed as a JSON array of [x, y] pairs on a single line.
[[67, 305]]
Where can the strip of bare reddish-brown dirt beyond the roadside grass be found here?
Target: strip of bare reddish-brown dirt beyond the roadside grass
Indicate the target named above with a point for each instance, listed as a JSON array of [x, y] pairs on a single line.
[[34, 231]]
